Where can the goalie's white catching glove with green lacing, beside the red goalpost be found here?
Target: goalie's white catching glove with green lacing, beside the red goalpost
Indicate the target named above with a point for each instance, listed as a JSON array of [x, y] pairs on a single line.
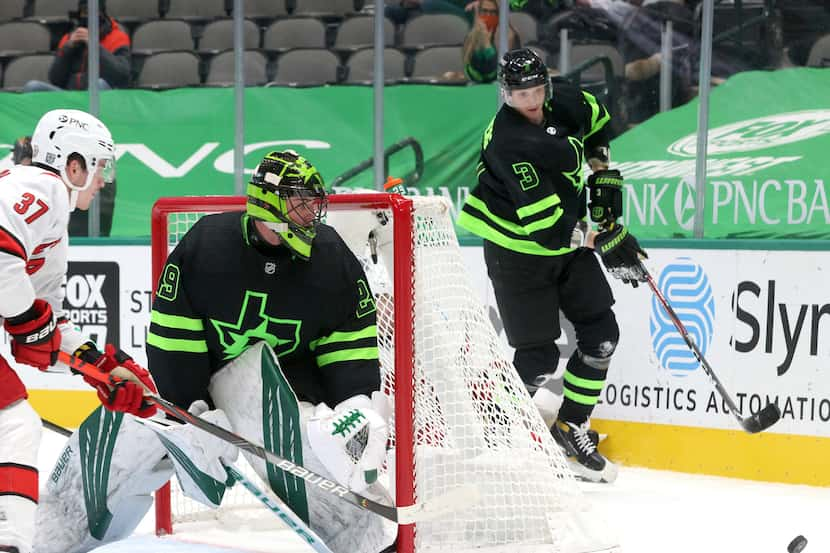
[[350, 441]]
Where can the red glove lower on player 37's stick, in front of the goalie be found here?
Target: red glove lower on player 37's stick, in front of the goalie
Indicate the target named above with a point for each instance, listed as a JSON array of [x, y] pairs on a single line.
[[126, 389]]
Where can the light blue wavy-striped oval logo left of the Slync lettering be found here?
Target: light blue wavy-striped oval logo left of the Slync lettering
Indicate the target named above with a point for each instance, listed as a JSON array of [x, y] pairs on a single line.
[[686, 287]]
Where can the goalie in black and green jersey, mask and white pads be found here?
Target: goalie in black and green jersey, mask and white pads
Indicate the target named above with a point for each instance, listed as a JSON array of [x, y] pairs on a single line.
[[263, 322]]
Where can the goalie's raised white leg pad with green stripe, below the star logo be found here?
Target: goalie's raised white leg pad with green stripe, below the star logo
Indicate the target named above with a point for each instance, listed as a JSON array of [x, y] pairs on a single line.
[[255, 395]]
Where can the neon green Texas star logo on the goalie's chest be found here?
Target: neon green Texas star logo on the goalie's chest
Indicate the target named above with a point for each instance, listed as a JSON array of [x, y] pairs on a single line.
[[254, 325]]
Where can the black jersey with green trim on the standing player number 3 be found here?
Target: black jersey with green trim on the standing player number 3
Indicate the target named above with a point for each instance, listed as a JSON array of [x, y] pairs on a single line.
[[530, 191]]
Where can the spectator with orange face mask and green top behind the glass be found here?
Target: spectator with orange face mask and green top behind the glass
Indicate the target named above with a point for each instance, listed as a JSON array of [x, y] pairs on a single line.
[[480, 52]]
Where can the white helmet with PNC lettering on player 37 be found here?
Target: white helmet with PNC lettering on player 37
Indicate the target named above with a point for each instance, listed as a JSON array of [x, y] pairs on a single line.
[[63, 132]]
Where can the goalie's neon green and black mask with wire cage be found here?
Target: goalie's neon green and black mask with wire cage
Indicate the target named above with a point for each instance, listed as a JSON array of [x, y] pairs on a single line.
[[287, 193]]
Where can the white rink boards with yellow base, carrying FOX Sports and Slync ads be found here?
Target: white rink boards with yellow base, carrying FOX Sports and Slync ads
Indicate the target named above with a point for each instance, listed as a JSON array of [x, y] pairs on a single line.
[[758, 310]]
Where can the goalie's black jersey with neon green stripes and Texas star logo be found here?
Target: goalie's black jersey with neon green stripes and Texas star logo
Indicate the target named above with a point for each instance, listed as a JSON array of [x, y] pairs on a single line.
[[219, 294]]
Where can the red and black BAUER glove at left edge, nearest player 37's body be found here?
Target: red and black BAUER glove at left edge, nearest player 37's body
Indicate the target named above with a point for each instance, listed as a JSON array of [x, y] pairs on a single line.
[[35, 336]]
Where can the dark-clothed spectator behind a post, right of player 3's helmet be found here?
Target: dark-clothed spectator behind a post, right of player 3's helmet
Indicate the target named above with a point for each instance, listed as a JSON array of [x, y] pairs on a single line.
[[640, 46]]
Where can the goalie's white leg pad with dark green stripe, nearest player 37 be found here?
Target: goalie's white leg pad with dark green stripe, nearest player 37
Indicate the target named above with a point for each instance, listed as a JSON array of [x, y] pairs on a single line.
[[101, 485]]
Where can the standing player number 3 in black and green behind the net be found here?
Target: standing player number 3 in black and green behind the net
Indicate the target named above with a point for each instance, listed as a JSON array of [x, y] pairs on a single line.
[[530, 208]]
